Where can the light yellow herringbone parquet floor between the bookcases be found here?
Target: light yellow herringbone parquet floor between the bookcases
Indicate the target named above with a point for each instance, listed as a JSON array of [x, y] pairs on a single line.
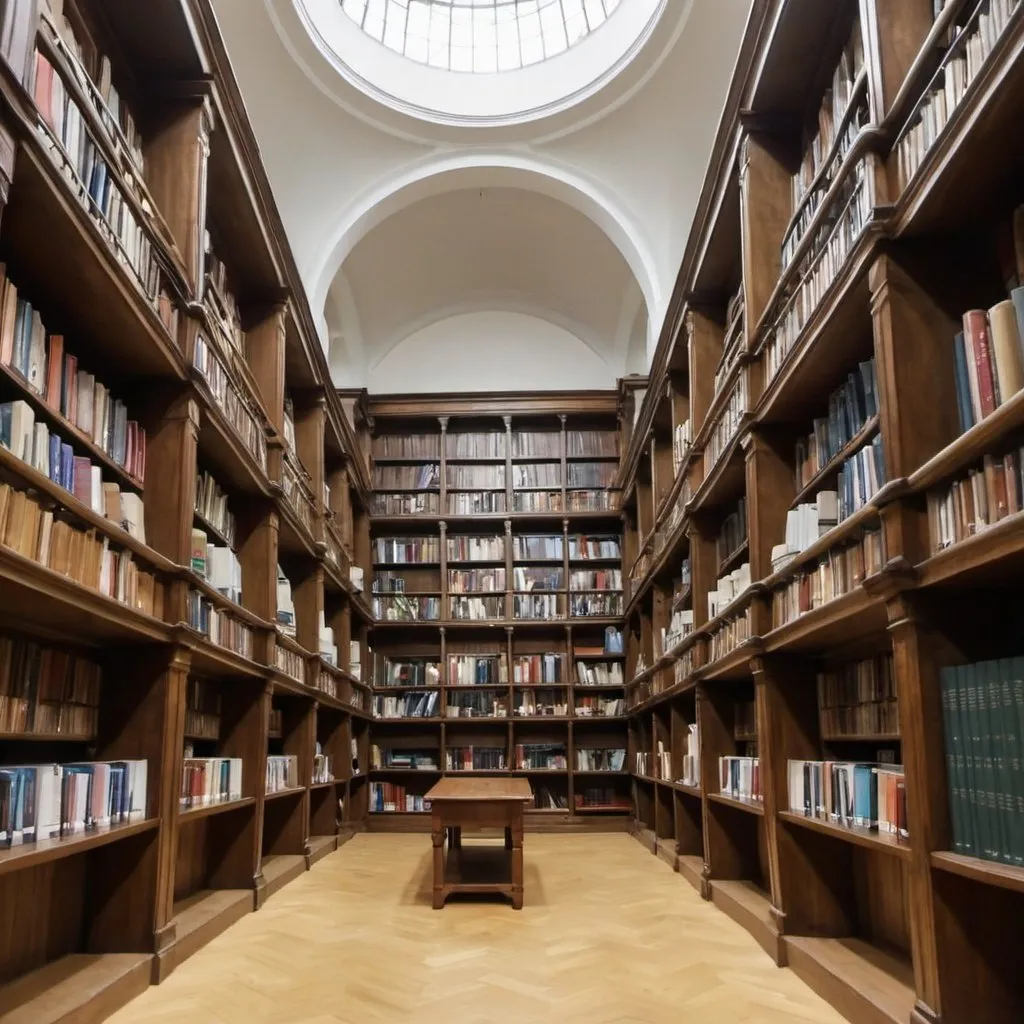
[[609, 935]]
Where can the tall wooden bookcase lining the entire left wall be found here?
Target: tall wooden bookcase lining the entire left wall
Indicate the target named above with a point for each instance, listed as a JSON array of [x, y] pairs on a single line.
[[170, 438]]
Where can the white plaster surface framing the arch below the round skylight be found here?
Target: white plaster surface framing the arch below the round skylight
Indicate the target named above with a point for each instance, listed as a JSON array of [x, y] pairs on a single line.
[[330, 161]]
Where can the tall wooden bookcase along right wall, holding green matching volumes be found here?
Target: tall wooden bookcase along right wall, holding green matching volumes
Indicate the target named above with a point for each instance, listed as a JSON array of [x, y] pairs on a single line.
[[831, 493]]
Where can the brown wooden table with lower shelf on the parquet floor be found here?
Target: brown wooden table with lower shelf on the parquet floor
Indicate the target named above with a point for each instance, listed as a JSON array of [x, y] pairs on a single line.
[[476, 803]]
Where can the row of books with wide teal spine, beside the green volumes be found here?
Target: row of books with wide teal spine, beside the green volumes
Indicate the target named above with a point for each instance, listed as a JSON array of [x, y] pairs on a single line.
[[854, 795]]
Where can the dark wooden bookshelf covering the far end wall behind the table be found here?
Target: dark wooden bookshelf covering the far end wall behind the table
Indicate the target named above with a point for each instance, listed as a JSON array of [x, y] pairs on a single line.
[[497, 547]]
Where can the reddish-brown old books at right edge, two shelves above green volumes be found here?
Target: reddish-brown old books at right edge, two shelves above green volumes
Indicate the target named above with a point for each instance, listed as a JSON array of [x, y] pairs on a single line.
[[980, 500]]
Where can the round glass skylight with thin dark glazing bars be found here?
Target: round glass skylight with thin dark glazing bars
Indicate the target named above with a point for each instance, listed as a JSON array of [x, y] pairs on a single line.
[[483, 36]]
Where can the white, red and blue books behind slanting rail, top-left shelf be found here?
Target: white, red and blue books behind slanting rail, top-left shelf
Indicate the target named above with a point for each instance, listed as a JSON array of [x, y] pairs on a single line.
[[76, 154]]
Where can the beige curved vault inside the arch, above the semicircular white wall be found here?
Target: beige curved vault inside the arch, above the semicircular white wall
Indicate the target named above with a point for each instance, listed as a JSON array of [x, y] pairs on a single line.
[[483, 250]]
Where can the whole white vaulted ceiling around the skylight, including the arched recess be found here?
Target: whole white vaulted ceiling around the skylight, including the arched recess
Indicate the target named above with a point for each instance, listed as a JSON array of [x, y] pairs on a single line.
[[581, 225]]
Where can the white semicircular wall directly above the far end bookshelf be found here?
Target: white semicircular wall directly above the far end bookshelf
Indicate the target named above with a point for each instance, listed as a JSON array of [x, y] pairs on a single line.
[[489, 352]]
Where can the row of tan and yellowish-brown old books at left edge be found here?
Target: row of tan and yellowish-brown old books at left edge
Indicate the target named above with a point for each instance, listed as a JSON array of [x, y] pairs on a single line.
[[82, 556]]
